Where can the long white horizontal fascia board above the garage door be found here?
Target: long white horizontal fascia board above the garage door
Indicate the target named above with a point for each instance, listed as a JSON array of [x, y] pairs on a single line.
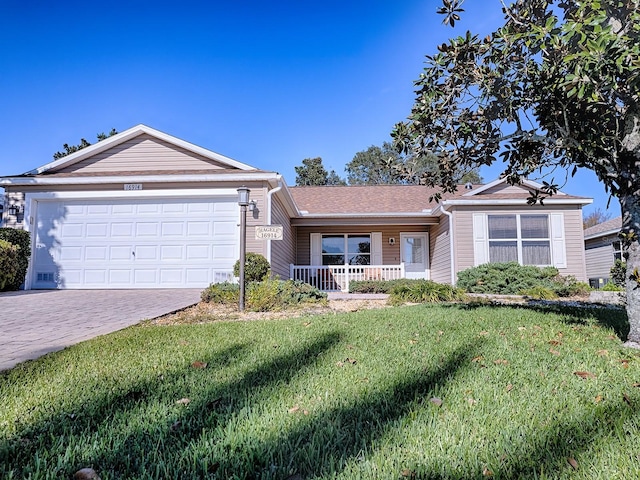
[[240, 176]]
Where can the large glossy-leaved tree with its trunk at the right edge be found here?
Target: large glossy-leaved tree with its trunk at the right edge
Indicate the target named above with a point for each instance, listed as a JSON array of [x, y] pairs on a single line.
[[556, 87]]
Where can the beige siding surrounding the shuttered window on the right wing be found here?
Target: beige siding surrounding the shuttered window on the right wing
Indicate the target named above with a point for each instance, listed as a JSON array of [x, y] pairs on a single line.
[[574, 239]]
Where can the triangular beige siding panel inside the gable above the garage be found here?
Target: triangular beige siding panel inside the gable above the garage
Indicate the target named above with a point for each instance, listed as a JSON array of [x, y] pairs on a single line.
[[143, 153]]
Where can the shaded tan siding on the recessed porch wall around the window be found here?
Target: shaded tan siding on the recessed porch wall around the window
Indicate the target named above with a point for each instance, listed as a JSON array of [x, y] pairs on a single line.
[[390, 253]]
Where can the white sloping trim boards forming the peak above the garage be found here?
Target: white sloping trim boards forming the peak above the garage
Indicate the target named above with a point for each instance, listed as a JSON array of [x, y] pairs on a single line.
[[130, 134]]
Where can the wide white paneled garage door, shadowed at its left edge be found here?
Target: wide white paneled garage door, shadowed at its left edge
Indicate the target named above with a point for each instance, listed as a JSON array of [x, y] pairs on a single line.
[[150, 243]]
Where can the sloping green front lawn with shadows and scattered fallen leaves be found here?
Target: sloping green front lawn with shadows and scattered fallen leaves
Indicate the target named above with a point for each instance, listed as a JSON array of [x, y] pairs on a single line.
[[426, 392]]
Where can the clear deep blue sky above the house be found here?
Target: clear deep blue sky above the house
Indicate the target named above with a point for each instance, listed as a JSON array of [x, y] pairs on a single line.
[[265, 83]]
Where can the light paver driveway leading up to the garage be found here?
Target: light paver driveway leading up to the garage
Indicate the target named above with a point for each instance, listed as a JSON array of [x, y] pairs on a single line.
[[36, 322]]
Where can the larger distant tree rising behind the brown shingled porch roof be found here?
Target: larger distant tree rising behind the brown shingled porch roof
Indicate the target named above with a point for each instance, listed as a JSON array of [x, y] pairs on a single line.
[[381, 165]]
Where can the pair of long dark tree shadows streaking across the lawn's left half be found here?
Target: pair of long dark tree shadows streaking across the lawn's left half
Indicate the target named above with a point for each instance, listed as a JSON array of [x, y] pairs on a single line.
[[97, 413]]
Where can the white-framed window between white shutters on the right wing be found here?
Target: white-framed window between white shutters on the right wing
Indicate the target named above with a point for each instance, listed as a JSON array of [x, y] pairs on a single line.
[[519, 238]]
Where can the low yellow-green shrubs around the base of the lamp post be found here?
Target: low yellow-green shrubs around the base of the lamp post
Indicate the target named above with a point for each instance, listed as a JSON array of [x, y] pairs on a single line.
[[269, 294]]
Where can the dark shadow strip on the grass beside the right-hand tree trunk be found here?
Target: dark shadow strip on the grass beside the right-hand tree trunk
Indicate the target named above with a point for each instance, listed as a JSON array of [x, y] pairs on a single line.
[[587, 314]]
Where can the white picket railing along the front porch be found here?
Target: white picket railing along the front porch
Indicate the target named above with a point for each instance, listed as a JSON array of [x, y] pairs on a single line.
[[336, 278]]
